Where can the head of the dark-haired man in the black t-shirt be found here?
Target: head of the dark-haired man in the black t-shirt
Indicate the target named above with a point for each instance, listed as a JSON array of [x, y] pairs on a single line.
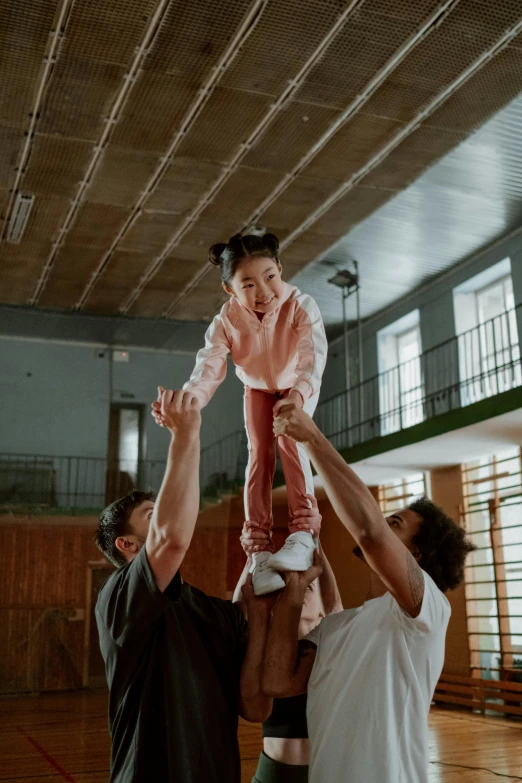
[[123, 527]]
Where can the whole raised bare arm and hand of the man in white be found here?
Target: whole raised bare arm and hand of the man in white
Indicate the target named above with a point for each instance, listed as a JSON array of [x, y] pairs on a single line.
[[358, 511]]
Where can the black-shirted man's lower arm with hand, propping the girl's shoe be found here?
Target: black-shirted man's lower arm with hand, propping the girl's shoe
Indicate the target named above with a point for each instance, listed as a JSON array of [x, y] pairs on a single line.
[[255, 705]]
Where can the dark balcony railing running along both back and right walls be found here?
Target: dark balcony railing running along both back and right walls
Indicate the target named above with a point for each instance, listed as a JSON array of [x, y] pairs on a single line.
[[480, 363]]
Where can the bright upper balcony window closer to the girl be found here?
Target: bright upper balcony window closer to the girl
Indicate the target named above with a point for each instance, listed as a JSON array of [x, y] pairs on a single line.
[[400, 378]]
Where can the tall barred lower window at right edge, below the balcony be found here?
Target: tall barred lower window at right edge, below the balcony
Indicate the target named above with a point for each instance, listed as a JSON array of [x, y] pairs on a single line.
[[493, 517]]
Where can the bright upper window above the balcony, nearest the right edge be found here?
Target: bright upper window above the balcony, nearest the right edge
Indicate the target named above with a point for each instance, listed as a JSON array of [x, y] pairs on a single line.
[[485, 317]]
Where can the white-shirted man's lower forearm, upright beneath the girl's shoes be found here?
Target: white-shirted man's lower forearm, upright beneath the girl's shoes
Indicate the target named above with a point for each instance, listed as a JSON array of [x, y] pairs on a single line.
[[282, 646]]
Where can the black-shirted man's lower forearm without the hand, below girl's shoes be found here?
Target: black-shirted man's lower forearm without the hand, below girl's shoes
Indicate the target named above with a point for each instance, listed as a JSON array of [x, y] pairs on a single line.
[[255, 704]]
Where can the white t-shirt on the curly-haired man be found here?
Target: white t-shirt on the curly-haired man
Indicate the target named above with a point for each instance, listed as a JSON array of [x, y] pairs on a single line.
[[371, 688]]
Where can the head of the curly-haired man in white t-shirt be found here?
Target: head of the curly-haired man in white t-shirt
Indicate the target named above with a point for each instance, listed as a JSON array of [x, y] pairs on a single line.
[[438, 544]]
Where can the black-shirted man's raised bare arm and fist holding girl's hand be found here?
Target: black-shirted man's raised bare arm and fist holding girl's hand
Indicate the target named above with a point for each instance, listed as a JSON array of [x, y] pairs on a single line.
[[177, 505]]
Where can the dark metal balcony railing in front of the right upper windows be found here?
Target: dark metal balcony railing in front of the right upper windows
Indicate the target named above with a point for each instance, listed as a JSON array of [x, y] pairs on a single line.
[[479, 363]]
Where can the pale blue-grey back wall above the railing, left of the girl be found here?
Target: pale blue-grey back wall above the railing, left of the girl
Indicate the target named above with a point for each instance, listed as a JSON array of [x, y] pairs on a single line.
[[55, 398]]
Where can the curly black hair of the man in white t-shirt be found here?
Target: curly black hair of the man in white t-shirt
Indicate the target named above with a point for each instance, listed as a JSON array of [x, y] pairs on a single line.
[[442, 544]]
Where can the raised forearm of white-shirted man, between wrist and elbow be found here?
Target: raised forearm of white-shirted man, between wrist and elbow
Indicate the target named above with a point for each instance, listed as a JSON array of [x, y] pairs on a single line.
[[350, 497]]
